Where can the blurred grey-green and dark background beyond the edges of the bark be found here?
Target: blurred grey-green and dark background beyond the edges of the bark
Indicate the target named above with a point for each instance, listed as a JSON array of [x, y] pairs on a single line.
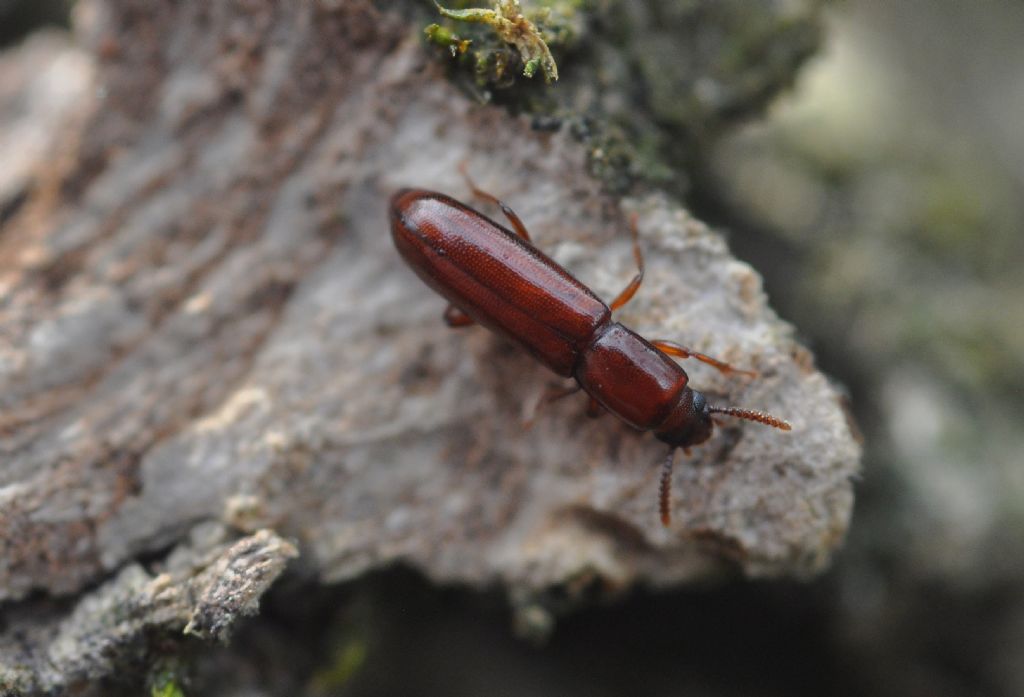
[[883, 201]]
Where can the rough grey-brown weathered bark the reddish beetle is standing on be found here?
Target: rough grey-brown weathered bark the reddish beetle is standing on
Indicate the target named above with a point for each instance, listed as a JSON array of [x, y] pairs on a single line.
[[204, 323]]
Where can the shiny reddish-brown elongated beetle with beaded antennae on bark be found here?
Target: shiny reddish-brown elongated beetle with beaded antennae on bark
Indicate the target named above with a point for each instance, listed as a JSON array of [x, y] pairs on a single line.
[[498, 279]]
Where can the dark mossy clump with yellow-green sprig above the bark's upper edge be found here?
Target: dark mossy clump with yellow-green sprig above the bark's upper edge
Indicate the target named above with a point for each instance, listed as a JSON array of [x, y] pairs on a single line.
[[648, 85]]
